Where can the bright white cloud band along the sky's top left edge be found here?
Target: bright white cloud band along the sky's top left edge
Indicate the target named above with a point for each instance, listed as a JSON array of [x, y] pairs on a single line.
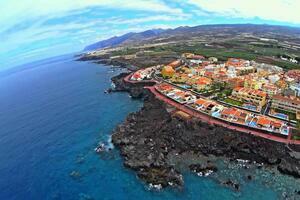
[[16, 9]]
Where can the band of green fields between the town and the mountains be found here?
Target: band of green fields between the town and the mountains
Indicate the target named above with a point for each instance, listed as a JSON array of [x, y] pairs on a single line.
[[268, 52]]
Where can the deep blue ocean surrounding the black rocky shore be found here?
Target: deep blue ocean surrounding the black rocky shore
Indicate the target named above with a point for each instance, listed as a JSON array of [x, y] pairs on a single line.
[[54, 113]]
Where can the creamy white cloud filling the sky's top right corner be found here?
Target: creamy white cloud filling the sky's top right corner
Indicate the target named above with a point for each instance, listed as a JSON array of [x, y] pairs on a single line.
[[278, 10]]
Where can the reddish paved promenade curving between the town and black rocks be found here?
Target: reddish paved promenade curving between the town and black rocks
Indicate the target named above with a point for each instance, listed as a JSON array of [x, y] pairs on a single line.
[[210, 120]]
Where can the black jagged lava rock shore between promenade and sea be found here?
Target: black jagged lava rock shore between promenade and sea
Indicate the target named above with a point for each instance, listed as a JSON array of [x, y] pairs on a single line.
[[150, 140]]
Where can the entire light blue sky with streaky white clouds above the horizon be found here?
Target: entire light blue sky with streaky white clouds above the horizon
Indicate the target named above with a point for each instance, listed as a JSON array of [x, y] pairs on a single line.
[[36, 29]]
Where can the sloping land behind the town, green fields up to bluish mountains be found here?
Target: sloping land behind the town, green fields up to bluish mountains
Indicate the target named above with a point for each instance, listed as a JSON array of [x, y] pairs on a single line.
[[262, 43]]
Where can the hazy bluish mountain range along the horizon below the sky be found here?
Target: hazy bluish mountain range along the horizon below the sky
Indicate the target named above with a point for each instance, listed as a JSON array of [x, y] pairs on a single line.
[[291, 34]]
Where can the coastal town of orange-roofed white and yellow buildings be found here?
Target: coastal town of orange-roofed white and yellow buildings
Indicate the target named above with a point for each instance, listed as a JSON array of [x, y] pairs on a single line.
[[242, 94]]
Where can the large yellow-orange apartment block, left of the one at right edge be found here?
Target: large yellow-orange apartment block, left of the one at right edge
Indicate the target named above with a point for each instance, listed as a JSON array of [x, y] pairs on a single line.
[[256, 97]]
